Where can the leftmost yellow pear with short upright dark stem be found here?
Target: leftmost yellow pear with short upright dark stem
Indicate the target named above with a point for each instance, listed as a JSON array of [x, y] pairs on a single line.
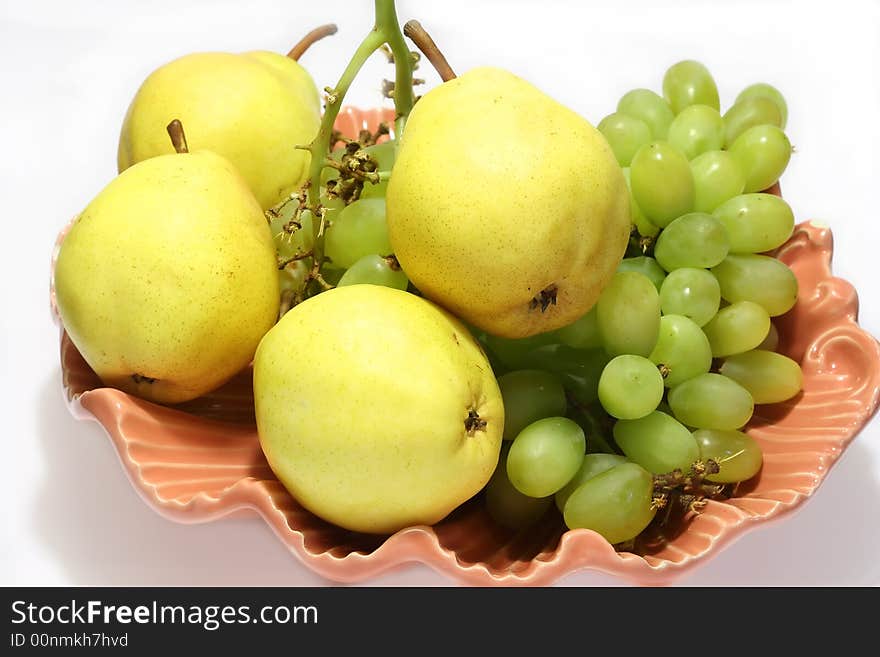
[[168, 279]]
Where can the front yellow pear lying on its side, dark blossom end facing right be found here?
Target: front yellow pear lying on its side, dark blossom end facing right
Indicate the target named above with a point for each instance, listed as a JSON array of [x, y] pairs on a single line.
[[376, 409]]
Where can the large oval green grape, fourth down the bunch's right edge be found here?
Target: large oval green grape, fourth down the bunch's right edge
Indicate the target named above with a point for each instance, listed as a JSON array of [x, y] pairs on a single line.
[[759, 278]]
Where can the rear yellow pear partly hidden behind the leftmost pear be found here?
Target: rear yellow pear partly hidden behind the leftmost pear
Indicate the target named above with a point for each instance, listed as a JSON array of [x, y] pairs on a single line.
[[252, 108]]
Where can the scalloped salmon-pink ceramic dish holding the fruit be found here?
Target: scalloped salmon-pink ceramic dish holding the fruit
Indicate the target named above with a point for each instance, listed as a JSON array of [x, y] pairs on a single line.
[[202, 460]]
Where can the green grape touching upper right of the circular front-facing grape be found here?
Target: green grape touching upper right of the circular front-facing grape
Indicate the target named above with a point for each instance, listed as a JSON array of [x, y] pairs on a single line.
[[682, 348]]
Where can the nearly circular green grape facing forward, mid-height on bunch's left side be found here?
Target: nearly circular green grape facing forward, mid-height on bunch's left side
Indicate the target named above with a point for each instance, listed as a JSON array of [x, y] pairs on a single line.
[[630, 387]]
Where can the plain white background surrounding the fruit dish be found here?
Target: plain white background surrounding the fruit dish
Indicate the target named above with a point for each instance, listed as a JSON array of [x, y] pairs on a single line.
[[67, 72]]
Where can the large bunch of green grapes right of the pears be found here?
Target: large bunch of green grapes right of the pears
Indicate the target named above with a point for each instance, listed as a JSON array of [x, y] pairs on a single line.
[[664, 372]]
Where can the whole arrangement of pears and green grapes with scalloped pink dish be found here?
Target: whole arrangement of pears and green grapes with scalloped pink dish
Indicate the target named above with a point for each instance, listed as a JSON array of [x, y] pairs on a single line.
[[419, 335]]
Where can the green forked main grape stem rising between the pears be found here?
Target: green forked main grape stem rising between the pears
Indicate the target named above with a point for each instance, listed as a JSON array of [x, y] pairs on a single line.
[[386, 30]]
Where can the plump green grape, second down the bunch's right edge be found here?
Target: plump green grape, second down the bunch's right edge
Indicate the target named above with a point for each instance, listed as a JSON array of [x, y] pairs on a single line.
[[763, 153]]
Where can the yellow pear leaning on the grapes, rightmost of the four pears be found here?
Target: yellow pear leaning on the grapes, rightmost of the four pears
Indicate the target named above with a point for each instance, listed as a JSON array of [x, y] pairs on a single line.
[[504, 206]]
